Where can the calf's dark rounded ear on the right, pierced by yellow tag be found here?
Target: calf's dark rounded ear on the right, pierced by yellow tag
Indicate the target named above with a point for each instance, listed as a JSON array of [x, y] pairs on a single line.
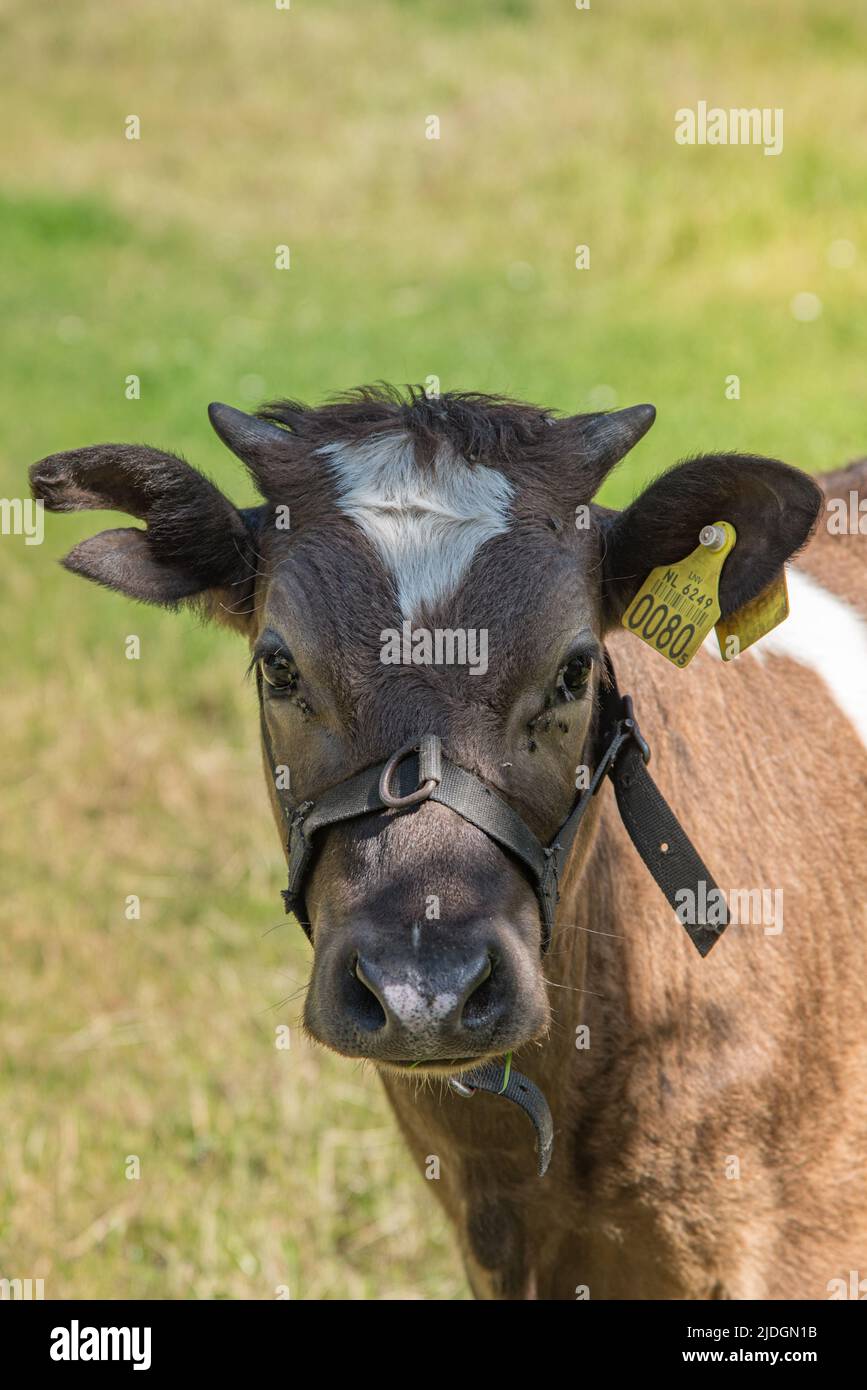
[[772, 507]]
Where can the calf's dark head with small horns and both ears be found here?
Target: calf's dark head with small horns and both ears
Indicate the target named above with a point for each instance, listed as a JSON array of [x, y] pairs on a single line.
[[388, 518]]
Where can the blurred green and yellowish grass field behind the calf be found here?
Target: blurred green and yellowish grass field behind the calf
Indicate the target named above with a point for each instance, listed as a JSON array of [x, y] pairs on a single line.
[[409, 258]]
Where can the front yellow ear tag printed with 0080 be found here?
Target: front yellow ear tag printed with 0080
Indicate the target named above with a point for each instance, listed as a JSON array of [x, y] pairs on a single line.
[[679, 604]]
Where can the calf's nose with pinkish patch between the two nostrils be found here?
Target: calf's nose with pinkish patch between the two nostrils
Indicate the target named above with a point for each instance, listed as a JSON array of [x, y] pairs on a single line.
[[415, 1007]]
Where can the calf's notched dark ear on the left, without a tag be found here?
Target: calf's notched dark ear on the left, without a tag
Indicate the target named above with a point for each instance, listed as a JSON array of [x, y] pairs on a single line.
[[195, 546]]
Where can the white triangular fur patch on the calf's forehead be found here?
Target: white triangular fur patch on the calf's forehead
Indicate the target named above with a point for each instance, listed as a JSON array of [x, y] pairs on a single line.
[[427, 525]]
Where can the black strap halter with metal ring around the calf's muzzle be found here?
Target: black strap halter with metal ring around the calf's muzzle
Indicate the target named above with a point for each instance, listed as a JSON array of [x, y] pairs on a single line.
[[419, 772]]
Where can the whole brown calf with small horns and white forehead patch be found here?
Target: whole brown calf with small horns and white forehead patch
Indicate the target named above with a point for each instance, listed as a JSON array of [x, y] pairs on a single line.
[[711, 1115]]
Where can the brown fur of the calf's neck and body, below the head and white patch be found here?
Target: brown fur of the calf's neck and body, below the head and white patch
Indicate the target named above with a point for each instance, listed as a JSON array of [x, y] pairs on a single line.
[[758, 1052]]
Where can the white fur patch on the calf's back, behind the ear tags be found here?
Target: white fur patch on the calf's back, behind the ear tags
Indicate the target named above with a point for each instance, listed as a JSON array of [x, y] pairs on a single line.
[[826, 635]]
